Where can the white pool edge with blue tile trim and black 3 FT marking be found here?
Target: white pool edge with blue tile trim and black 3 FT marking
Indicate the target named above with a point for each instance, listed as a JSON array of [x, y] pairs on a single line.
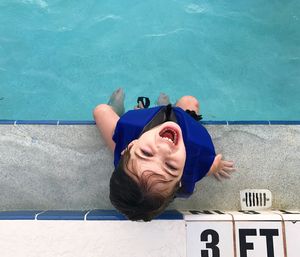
[[176, 234]]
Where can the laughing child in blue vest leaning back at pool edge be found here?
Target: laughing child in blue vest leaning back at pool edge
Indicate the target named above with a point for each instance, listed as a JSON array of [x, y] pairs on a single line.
[[159, 152]]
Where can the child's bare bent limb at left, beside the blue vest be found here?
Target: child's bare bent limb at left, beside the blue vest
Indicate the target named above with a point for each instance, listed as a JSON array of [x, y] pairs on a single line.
[[106, 120]]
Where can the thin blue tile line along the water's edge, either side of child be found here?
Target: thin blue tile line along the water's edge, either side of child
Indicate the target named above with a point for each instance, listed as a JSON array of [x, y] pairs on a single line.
[[91, 122]]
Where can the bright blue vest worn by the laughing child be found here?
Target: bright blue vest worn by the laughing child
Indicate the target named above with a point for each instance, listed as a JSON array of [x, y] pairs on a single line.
[[200, 152]]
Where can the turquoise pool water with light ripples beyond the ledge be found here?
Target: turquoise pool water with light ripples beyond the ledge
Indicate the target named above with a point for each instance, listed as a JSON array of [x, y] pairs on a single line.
[[60, 58]]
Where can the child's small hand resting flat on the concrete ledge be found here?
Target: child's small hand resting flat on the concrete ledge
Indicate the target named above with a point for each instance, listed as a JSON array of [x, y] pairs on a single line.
[[221, 168]]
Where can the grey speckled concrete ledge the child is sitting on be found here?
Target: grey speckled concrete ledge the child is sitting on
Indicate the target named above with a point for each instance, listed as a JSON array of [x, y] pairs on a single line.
[[68, 167]]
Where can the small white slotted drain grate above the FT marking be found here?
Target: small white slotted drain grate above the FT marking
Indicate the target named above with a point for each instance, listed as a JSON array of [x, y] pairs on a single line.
[[255, 199]]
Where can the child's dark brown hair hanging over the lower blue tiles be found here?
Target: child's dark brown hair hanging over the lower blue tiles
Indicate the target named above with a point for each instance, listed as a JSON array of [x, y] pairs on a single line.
[[136, 200]]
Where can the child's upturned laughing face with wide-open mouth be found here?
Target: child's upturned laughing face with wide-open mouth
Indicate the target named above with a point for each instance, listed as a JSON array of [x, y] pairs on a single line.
[[158, 156]]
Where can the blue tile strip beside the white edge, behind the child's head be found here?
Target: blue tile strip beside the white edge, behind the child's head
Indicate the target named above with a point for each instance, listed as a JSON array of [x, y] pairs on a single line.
[[79, 215]]
